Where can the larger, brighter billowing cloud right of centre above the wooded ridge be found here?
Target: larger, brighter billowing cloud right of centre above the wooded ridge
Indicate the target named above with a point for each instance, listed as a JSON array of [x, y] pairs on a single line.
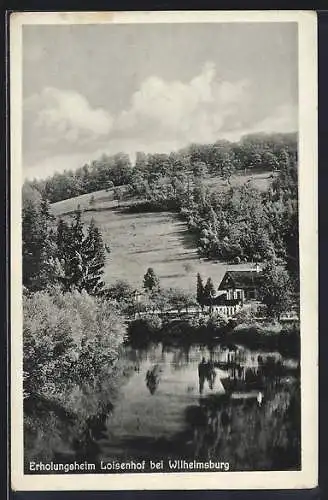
[[192, 111]]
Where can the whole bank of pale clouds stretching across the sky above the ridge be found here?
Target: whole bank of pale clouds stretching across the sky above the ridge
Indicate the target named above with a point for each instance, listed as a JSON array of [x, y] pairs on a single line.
[[62, 130]]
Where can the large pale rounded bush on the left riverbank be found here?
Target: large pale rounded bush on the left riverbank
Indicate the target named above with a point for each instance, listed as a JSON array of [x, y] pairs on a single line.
[[70, 341]]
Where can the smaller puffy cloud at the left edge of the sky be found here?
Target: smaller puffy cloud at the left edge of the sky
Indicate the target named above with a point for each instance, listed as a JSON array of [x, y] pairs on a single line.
[[65, 115]]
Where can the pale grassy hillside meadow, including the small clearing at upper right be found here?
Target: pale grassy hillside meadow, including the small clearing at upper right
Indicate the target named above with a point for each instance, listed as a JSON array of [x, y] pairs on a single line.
[[157, 240]]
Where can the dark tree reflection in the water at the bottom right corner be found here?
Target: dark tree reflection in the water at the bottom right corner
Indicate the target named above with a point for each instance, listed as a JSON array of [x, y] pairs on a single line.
[[249, 436]]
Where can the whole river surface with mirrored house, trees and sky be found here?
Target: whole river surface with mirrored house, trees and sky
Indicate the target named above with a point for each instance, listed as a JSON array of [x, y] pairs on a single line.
[[191, 401]]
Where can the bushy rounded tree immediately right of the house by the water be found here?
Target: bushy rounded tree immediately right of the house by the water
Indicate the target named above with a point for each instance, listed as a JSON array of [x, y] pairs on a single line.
[[275, 290]]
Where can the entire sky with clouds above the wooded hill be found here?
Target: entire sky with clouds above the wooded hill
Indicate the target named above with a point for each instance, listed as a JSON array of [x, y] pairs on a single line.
[[94, 89]]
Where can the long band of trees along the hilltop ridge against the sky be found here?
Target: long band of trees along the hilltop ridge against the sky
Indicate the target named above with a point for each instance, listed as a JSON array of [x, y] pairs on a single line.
[[222, 158]]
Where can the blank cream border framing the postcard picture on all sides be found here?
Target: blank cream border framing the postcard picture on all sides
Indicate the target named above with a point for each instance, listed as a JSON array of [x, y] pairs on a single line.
[[307, 477]]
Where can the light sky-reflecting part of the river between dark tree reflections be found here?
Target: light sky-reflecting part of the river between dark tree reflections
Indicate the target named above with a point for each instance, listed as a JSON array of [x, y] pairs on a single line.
[[164, 414]]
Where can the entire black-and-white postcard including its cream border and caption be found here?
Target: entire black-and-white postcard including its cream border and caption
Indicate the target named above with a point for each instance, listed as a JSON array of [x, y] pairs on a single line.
[[163, 249]]
